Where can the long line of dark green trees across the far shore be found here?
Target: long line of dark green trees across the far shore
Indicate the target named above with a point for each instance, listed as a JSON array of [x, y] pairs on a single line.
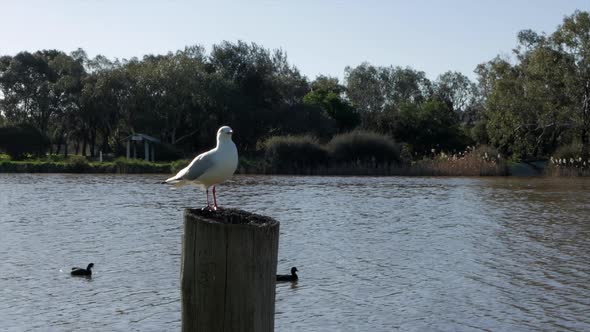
[[527, 107]]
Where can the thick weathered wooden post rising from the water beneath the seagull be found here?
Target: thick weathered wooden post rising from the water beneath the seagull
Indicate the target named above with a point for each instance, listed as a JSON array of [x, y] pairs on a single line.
[[228, 272]]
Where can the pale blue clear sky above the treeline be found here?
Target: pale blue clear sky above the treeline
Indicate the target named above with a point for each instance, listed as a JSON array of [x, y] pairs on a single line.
[[319, 37]]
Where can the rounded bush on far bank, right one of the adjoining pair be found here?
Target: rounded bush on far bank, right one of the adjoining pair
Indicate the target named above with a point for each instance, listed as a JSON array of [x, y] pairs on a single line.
[[364, 147]]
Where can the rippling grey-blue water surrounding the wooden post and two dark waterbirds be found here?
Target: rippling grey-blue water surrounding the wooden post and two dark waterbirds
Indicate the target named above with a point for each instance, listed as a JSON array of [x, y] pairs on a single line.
[[374, 254]]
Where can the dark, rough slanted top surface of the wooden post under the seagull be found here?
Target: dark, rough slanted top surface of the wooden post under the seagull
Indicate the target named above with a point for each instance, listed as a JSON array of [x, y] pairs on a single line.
[[232, 216]]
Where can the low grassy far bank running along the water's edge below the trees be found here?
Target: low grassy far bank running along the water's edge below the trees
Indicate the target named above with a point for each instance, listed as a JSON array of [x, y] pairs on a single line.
[[425, 167]]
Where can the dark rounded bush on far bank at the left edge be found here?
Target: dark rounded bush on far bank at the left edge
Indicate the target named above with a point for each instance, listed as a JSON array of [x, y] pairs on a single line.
[[19, 141]]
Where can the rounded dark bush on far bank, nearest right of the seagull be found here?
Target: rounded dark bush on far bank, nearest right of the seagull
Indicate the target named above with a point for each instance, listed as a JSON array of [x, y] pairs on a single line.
[[290, 153]]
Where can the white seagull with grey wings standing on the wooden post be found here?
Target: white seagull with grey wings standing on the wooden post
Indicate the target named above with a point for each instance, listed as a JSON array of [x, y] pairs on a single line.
[[211, 167]]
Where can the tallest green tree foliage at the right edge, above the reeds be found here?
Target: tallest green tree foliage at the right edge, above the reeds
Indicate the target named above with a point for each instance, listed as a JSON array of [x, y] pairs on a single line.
[[540, 102]]
